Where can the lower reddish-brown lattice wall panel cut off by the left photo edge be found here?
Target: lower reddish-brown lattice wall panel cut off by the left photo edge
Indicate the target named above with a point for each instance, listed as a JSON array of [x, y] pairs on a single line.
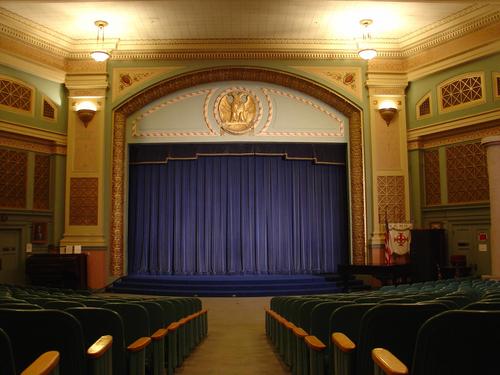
[[13, 172]]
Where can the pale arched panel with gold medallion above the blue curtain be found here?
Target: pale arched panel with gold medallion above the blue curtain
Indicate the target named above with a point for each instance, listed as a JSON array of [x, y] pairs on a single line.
[[242, 111]]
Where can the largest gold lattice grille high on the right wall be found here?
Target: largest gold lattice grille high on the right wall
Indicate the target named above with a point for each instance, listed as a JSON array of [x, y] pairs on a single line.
[[461, 91]]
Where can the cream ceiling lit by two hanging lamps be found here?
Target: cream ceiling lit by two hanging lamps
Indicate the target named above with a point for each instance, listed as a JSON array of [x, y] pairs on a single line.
[[140, 25]]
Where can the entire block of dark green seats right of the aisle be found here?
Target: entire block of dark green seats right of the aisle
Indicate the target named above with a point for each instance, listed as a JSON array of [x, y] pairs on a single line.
[[337, 334]]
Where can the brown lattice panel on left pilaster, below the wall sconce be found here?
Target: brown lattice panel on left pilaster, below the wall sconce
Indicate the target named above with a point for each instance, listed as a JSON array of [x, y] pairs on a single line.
[[83, 203]]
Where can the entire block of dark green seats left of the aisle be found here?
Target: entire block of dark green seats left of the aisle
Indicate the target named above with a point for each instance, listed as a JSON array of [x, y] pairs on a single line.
[[93, 334]]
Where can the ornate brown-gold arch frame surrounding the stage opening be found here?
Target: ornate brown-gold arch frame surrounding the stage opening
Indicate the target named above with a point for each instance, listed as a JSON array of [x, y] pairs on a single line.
[[191, 79]]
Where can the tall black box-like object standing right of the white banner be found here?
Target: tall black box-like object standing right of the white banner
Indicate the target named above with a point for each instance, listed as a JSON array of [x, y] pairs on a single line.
[[427, 253]]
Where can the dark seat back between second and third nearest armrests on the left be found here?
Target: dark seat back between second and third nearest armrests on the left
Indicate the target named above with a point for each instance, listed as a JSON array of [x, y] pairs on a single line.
[[97, 322]]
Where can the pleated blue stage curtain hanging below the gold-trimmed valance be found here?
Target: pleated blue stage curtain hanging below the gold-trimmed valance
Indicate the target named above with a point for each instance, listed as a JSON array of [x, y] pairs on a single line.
[[237, 215]]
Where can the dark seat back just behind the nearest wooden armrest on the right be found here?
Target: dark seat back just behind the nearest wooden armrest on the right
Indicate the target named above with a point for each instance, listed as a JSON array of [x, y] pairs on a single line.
[[393, 327]]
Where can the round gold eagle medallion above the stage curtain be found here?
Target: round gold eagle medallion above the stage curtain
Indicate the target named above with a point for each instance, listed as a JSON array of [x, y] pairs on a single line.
[[237, 110]]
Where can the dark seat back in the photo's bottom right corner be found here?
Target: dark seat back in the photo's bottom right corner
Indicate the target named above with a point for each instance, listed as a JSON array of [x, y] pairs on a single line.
[[458, 342]]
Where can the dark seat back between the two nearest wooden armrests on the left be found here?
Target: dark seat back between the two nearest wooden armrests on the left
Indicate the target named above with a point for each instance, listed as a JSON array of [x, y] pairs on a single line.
[[33, 332]]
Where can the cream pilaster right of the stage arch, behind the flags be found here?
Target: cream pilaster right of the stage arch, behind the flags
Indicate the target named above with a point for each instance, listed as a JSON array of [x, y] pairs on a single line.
[[388, 159]]
